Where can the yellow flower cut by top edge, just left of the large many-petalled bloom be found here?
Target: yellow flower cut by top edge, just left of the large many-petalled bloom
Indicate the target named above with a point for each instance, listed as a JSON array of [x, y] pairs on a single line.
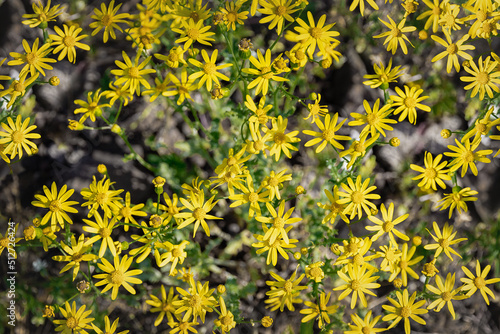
[[277, 12]]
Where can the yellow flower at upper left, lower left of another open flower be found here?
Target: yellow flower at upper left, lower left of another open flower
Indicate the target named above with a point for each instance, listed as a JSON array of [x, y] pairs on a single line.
[[34, 58]]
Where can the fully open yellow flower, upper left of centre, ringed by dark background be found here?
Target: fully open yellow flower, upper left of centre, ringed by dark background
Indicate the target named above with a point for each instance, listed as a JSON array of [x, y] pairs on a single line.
[[209, 70]]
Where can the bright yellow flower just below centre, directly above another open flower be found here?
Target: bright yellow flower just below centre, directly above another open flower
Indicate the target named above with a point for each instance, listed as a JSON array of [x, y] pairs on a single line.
[[279, 221]]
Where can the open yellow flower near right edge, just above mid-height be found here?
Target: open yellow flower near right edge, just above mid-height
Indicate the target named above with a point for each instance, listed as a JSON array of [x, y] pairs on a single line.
[[465, 157]]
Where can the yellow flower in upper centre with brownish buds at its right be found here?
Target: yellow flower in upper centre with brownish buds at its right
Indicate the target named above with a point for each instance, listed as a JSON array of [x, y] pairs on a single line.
[[263, 71]]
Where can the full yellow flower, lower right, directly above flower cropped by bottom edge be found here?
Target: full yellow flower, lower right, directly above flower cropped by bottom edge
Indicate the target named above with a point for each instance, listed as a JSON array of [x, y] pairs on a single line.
[[358, 282]]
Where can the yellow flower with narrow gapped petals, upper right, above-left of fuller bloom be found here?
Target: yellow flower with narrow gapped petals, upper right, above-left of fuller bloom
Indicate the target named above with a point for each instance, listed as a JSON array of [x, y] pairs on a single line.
[[453, 50]]
